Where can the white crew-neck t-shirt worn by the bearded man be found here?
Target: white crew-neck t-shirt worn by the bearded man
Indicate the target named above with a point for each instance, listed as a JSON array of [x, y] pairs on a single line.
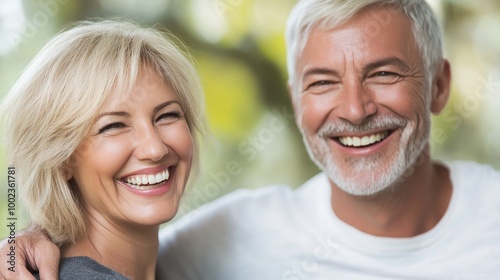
[[282, 234]]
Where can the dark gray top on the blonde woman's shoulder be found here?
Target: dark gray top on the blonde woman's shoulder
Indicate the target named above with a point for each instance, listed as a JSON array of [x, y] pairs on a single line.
[[85, 268]]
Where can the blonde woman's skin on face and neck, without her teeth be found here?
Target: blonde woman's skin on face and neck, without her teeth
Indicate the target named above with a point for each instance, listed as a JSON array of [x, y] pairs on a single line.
[[143, 133]]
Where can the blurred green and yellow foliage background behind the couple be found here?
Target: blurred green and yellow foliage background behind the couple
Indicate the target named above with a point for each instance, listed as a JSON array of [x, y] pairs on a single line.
[[240, 53]]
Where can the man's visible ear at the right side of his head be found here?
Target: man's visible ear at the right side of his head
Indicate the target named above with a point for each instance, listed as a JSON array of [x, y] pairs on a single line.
[[440, 88]]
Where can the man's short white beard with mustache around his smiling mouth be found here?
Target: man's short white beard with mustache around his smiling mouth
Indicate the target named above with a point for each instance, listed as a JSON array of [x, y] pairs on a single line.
[[365, 176]]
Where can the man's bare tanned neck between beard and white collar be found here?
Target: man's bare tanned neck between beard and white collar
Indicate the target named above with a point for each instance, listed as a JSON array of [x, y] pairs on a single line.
[[409, 208]]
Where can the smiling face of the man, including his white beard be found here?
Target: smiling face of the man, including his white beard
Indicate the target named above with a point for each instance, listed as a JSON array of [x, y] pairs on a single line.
[[362, 101]]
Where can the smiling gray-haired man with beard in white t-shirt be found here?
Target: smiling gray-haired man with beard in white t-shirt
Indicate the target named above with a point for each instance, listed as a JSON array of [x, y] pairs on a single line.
[[364, 77]]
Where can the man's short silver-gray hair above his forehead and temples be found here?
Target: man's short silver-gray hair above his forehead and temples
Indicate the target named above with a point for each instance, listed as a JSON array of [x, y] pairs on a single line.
[[327, 14]]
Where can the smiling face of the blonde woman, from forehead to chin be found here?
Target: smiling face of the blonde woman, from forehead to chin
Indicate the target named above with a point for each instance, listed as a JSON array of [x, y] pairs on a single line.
[[133, 166]]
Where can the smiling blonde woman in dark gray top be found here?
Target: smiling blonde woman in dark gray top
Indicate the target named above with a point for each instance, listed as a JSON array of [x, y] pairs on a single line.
[[102, 128]]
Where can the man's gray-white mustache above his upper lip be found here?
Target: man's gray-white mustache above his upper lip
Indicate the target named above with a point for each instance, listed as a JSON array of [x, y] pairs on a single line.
[[371, 124]]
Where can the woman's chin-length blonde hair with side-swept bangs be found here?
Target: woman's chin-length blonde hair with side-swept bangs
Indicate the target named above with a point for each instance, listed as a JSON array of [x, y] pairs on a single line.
[[50, 109]]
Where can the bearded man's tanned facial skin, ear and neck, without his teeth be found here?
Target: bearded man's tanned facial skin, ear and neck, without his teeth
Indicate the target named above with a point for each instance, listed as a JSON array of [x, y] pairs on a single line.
[[352, 83]]
